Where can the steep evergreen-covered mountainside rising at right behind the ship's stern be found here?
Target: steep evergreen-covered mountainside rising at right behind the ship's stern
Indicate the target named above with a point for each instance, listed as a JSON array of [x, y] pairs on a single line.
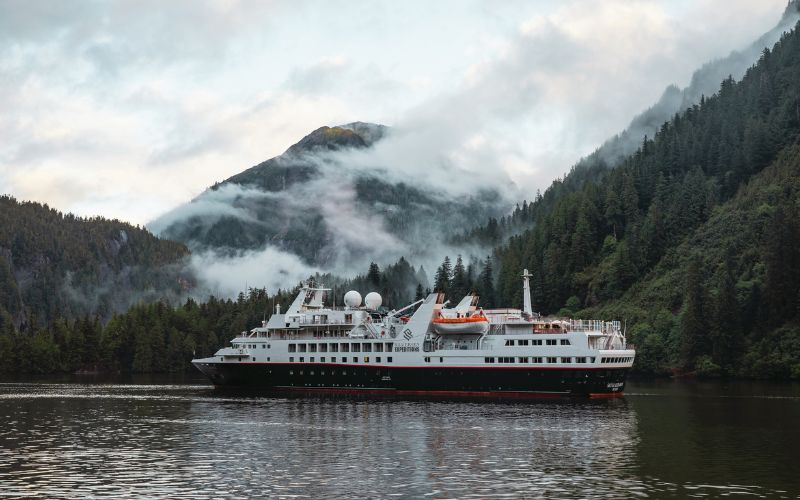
[[692, 238]]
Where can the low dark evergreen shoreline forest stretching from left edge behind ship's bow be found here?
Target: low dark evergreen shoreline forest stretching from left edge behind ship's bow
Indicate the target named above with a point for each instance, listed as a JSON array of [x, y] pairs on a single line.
[[159, 337]]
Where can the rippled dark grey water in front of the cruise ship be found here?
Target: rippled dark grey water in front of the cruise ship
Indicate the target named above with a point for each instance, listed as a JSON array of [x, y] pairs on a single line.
[[664, 439]]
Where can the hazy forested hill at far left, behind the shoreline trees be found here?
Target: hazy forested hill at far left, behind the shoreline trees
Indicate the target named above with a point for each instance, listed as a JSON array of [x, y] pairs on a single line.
[[54, 264]]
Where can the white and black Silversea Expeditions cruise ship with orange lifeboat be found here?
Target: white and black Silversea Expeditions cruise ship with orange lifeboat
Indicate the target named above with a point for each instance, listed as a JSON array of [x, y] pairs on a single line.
[[424, 349]]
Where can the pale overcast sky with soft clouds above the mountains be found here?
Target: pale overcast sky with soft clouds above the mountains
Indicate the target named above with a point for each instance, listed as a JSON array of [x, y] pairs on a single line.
[[127, 109]]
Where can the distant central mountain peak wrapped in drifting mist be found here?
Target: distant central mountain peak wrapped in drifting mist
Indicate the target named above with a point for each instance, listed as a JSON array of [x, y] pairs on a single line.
[[310, 203]]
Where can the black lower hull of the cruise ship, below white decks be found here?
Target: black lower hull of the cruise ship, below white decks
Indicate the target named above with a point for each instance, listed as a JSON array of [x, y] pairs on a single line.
[[511, 382]]
